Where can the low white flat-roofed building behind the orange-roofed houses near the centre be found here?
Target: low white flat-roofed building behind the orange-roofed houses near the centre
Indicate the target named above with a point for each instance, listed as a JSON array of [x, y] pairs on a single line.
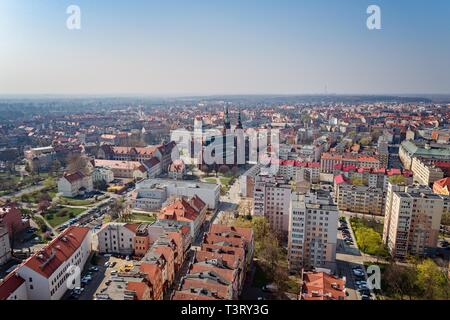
[[150, 194]]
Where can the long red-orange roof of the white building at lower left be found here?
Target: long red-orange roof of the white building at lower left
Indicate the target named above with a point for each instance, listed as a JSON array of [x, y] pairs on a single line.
[[60, 249]]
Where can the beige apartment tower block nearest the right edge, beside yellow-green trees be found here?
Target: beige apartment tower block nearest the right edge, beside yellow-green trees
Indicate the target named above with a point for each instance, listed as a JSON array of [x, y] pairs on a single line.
[[412, 220]]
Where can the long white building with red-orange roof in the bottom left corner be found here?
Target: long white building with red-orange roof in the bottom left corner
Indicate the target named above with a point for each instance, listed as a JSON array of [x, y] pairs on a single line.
[[44, 275]]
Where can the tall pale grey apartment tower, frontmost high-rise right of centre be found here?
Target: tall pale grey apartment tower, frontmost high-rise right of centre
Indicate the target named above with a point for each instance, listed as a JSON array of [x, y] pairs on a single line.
[[312, 231]]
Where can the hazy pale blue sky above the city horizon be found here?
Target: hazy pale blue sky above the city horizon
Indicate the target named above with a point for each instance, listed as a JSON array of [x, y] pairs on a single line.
[[224, 47]]
